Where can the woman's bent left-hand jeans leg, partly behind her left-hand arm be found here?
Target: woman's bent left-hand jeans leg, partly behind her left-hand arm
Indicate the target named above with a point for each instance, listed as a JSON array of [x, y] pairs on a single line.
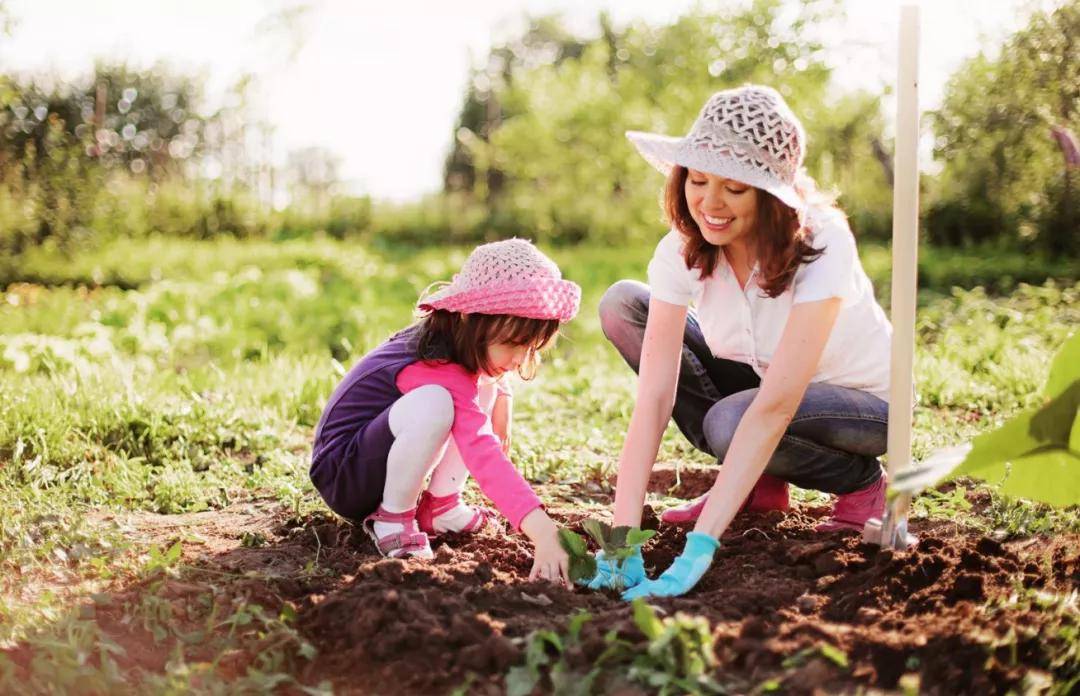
[[704, 379]]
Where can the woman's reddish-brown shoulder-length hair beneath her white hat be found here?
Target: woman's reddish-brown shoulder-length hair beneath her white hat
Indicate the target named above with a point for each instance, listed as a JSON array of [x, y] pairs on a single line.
[[781, 240]]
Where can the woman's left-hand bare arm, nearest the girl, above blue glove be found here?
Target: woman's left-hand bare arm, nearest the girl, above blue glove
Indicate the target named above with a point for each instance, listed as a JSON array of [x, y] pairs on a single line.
[[658, 377]]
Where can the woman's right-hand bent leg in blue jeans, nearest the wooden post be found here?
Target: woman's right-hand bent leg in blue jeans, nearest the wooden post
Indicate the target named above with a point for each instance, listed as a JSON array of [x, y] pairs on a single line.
[[832, 445]]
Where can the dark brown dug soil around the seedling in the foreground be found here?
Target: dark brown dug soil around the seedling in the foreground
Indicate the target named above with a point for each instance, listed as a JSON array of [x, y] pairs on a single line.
[[954, 617]]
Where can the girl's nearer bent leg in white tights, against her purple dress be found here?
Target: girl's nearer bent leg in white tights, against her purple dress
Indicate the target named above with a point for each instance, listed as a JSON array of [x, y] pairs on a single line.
[[421, 423]]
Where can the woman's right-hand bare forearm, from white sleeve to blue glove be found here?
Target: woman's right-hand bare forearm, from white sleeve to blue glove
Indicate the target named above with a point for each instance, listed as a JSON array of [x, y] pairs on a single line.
[[765, 422]]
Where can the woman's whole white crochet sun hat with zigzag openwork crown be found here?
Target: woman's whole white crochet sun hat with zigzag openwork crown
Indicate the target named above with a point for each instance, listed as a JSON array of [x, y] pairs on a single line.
[[748, 135]]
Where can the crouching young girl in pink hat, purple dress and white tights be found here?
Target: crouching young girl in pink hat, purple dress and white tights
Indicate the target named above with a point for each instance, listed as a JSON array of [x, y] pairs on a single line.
[[433, 400]]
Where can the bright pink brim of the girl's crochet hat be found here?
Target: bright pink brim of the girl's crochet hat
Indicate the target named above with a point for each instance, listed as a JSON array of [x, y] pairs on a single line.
[[533, 300]]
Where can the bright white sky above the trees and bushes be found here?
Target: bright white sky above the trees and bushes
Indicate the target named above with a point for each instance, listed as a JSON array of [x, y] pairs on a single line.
[[381, 84]]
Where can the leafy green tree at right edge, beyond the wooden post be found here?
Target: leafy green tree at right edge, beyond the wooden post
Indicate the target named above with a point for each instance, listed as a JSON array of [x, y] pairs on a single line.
[[1005, 175]]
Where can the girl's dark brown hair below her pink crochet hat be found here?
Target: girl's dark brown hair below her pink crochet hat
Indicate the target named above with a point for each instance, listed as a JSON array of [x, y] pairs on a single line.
[[451, 337]]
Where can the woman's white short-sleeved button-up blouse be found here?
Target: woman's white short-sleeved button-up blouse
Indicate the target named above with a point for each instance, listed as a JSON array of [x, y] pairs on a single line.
[[747, 325]]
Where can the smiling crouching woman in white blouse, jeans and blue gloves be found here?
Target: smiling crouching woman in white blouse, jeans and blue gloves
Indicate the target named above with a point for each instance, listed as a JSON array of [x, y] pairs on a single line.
[[782, 367]]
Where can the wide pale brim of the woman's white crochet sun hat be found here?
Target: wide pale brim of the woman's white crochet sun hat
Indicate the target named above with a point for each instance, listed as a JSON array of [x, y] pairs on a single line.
[[665, 152]]
